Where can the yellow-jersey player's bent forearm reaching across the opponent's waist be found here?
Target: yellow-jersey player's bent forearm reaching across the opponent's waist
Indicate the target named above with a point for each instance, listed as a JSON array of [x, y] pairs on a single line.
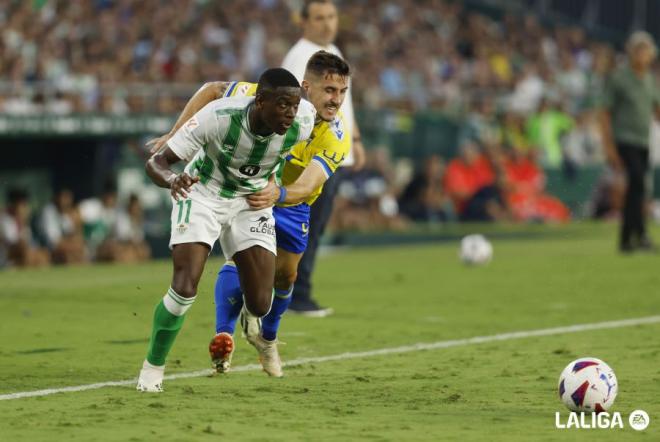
[[309, 180]]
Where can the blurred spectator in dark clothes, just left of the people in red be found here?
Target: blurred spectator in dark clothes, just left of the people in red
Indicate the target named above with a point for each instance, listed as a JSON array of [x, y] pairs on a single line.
[[424, 198]]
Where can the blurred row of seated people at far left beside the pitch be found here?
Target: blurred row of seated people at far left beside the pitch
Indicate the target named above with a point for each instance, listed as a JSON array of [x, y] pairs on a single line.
[[66, 232]]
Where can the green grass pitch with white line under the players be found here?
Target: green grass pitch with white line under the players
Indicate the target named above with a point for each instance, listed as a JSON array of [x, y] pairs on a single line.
[[74, 326]]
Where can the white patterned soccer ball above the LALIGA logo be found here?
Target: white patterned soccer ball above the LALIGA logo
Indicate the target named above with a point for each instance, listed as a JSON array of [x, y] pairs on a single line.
[[588, 384]]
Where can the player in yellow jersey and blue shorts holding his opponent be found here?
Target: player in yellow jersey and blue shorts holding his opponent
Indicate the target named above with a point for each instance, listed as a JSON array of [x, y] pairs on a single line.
[[303, 173]]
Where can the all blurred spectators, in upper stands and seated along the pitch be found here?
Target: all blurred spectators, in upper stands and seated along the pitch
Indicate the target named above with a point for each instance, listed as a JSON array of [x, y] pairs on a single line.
[[526, 94]]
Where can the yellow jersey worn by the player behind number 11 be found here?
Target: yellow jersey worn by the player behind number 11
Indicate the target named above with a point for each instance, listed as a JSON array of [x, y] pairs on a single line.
[[328, 145]]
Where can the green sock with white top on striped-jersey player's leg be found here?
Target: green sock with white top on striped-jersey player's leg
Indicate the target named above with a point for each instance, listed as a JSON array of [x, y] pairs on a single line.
[[168, 319]]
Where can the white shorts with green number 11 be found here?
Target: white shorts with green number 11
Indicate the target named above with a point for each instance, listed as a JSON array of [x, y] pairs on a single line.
[[231, 220]]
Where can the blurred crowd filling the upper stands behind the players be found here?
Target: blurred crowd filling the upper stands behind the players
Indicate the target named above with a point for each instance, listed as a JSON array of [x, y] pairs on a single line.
[[413, 54]]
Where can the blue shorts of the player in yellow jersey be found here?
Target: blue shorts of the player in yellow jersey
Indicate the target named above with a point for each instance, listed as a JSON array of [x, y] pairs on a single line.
[[292, 227]]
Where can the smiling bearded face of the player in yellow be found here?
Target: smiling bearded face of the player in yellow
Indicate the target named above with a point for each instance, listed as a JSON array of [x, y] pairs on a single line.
[[326, 93]]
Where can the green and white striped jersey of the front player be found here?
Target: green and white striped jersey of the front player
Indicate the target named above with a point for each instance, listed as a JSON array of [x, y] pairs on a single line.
[[229, 159]]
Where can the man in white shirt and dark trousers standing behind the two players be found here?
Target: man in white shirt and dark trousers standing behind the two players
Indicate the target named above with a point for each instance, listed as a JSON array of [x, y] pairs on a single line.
[[319, 25]]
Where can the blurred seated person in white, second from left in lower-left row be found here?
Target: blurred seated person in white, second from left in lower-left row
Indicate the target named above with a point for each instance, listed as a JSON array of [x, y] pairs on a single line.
[[60, 226]]
